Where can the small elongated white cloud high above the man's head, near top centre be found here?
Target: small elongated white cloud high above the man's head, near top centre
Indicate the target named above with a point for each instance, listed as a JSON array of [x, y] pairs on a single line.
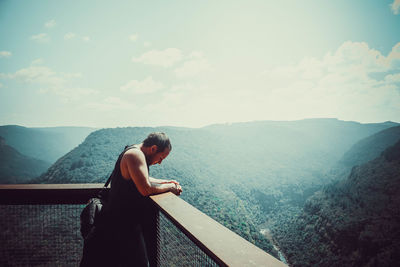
[[164, 58]]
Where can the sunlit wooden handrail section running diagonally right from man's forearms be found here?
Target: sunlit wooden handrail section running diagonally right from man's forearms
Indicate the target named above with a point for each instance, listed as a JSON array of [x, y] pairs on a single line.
[[224, 246]]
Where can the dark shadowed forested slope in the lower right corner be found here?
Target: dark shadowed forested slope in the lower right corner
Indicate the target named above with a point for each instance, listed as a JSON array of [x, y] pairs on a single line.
[[354, 222]]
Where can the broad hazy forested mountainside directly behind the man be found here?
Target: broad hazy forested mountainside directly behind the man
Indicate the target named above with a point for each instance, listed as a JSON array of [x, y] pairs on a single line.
[[238, 174]]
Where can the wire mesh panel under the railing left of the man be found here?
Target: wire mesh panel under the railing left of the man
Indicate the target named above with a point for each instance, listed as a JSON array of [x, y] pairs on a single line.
[[40, 235]]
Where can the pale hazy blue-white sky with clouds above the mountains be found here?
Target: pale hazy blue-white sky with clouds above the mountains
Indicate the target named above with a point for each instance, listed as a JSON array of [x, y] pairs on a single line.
[[195, 63]]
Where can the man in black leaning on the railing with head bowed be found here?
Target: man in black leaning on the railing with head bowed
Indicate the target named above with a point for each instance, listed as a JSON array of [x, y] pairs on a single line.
[[119, 238]]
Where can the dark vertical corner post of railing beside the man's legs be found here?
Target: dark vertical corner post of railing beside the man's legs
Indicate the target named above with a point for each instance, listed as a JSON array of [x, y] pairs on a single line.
[[150, 229]]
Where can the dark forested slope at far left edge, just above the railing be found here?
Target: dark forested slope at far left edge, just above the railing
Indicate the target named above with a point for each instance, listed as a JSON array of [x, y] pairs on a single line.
[[18, 168]]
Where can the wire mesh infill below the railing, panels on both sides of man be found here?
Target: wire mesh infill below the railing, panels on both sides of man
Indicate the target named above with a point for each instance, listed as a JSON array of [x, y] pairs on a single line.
[[49, 235]]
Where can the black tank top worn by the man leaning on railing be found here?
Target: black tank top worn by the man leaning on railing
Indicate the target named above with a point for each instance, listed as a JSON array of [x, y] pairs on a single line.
[[125, 206]]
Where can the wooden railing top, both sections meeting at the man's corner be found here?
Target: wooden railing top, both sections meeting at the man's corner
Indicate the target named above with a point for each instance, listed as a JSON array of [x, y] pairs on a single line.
[[223, 246]]
